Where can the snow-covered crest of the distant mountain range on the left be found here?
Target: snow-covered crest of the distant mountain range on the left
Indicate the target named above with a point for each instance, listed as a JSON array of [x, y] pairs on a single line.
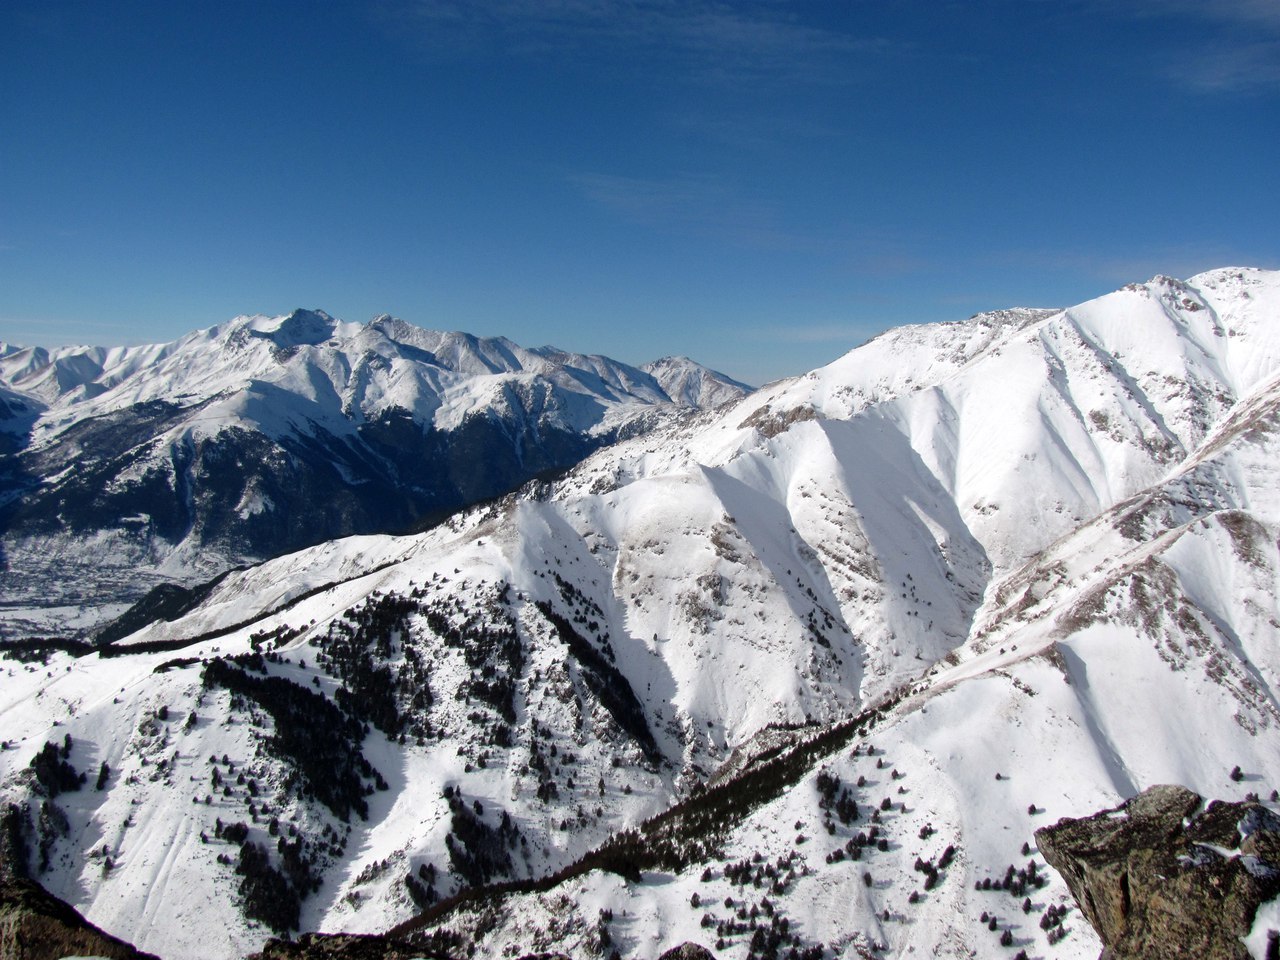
[[368, 368]]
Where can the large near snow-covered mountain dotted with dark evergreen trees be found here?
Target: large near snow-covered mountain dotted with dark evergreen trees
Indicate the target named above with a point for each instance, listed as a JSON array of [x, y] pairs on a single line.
[[870, 628]]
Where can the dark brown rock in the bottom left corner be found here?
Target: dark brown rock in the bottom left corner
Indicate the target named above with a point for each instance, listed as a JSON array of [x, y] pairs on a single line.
[[38, 926]]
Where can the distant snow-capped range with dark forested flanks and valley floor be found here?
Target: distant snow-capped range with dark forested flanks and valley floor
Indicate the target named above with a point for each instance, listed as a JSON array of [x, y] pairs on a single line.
[[125, 468]]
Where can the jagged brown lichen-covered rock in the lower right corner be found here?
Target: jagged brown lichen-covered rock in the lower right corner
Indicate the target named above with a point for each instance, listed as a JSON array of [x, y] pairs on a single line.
[[1167, 876]]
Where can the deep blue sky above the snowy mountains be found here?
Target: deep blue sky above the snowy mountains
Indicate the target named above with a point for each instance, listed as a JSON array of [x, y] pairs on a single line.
[[761, 186]]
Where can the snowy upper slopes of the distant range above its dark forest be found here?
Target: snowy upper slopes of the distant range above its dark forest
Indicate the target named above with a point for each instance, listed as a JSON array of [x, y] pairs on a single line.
[[332, 372]]
